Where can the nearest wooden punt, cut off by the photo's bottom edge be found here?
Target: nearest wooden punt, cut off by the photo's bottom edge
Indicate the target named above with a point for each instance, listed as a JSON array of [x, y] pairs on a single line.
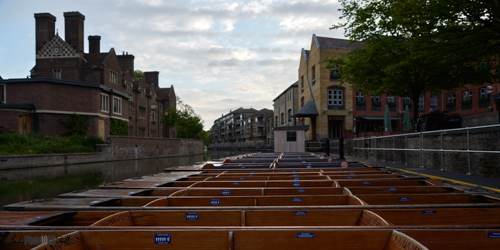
[[240, 239]]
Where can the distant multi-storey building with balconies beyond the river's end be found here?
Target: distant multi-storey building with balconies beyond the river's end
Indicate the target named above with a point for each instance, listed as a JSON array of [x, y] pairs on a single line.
[[243, 128]]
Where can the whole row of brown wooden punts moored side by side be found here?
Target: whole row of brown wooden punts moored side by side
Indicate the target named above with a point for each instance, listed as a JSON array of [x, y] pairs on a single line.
[[267, 209]]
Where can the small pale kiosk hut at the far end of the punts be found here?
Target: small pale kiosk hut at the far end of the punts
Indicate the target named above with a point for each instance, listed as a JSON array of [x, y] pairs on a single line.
[[290, 139]]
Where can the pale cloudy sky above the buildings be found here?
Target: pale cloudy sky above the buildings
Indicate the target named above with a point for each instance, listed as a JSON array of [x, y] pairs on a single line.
[[219, 55]]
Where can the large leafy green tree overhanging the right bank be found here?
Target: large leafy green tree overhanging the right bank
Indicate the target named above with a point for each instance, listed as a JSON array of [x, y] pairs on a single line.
[[403, 50]]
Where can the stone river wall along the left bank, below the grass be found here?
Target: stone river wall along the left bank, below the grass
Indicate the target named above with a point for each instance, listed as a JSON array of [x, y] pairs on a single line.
[[118, 148]]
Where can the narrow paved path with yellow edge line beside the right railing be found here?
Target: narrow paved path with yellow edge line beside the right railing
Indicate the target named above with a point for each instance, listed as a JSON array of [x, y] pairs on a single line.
[[492, 183]]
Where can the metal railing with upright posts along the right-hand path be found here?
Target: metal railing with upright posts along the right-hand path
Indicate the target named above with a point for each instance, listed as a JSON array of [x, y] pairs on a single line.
[[399, 142]]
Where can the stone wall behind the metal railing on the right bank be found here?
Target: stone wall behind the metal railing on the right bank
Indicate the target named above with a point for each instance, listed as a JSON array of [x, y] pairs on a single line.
[[483, 164]]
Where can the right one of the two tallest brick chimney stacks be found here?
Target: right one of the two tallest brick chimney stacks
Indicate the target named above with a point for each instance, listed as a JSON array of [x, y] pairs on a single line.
[[73, 27]]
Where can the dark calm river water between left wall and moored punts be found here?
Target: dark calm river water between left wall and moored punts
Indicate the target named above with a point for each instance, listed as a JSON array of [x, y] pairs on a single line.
[[48, 182]]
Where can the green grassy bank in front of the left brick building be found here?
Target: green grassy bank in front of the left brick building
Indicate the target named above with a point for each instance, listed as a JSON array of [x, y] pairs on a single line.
[[15, 144]]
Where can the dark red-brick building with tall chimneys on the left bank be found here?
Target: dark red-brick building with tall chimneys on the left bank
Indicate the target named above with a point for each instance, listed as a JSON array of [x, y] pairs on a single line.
[[66, 80]]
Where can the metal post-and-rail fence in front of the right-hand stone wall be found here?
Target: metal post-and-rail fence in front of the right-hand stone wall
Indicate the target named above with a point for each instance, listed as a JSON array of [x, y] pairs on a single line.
[[425, 147]]
